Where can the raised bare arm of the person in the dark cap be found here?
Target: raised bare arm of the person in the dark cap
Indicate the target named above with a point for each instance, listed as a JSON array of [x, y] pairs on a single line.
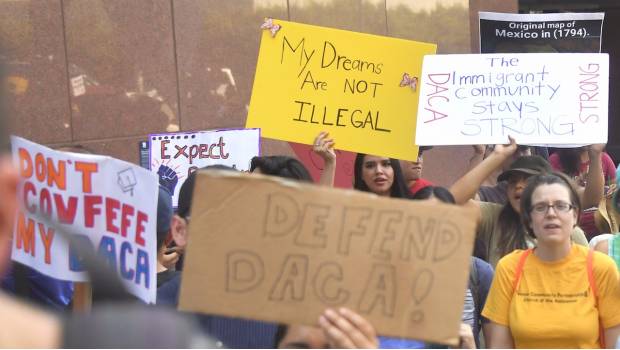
[[466, 187]]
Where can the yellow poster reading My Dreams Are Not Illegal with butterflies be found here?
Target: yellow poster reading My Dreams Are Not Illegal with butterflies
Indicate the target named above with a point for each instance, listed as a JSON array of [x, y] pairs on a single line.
[[361, 88]]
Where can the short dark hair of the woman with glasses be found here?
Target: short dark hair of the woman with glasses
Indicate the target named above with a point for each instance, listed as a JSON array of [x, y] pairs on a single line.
[[547, 179]]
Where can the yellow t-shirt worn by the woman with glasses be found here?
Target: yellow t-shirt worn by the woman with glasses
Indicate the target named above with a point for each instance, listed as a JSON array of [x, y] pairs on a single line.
[[554, 305]]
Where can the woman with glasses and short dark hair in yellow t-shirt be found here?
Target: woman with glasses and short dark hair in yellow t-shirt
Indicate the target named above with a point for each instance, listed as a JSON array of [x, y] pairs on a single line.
[[557, 294]]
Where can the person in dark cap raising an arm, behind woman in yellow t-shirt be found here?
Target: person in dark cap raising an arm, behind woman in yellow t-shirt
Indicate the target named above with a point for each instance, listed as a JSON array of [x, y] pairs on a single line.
[[500, 230]]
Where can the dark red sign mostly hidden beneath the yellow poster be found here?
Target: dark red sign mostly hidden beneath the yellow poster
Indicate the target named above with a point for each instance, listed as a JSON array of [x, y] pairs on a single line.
[[344, 166]]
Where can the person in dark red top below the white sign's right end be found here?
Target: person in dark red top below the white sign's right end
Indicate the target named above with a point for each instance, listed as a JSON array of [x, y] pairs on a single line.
[[575, 162]]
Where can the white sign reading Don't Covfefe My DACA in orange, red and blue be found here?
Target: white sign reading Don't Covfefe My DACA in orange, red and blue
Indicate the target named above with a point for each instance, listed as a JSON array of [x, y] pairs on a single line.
[[110, 203]]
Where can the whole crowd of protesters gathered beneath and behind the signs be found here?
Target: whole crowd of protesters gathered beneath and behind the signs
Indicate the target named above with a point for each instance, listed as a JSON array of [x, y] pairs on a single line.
[[540, 276]]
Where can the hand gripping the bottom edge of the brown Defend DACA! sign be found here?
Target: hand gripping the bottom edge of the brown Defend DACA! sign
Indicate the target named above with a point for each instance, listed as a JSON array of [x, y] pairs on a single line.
[[345, 329]]
